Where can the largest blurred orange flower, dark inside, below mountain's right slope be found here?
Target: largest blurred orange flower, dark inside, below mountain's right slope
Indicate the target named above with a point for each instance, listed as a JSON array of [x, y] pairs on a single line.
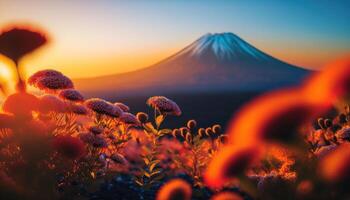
[[276, 116]]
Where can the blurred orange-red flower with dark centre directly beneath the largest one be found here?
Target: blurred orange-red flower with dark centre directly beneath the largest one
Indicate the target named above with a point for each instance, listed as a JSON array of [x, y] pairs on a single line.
[[230, 162]]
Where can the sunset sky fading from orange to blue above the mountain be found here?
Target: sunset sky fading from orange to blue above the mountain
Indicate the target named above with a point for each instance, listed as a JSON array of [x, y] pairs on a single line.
[[93, 38]]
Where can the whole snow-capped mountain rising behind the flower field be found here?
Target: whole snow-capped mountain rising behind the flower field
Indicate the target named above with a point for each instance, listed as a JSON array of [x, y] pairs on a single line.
[[214, 62]]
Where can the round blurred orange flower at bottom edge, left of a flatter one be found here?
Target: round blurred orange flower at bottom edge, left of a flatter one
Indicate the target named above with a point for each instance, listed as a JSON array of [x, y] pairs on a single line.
[[175, 189]]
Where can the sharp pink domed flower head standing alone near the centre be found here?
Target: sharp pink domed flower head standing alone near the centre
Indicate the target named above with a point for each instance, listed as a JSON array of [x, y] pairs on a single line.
[[164, 105]]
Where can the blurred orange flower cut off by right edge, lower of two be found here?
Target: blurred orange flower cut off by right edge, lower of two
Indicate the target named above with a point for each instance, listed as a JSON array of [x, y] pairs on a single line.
[[335, 166]]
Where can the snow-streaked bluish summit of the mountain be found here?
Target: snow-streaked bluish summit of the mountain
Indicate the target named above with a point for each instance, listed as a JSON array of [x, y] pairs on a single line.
[[225, 46]]
